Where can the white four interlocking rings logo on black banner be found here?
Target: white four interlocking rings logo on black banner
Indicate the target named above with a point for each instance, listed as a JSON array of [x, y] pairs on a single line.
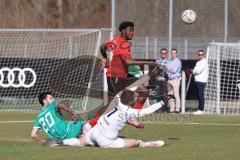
[[16, 77]]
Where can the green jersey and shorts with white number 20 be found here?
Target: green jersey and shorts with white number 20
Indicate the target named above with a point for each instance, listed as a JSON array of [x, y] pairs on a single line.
[[55, 126]]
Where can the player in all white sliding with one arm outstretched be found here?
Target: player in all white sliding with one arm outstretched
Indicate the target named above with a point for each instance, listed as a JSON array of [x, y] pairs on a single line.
[[105, 133]]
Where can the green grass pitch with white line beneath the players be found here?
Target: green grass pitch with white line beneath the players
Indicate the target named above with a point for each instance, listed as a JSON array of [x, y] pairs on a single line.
[[188, 137]]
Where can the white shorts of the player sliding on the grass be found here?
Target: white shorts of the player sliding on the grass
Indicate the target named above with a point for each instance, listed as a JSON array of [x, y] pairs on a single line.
[[95, 138]]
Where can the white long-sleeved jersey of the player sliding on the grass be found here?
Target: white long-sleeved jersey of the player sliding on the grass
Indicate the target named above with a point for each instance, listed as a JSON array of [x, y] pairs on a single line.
[[110, 123]]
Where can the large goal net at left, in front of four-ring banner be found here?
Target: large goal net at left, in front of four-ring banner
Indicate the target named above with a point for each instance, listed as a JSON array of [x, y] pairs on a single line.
[[62, 61]]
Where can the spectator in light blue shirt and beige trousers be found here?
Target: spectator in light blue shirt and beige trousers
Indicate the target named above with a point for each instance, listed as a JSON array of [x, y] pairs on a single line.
[[174, 76]]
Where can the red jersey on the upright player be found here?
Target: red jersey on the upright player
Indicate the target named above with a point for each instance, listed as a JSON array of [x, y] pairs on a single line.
[[121, 52]]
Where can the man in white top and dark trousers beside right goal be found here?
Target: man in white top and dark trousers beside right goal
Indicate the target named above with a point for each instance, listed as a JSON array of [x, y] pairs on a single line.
[[200, 72]]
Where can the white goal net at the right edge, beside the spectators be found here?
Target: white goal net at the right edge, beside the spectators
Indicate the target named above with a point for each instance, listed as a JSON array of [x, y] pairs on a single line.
[[223, 87]]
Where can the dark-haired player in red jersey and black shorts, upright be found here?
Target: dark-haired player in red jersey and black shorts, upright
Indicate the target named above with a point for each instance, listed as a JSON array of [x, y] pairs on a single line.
[[117, 71]]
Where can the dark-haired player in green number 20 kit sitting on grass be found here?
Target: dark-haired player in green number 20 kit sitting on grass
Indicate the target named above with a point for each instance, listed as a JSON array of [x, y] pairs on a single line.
[[58, 130]]
